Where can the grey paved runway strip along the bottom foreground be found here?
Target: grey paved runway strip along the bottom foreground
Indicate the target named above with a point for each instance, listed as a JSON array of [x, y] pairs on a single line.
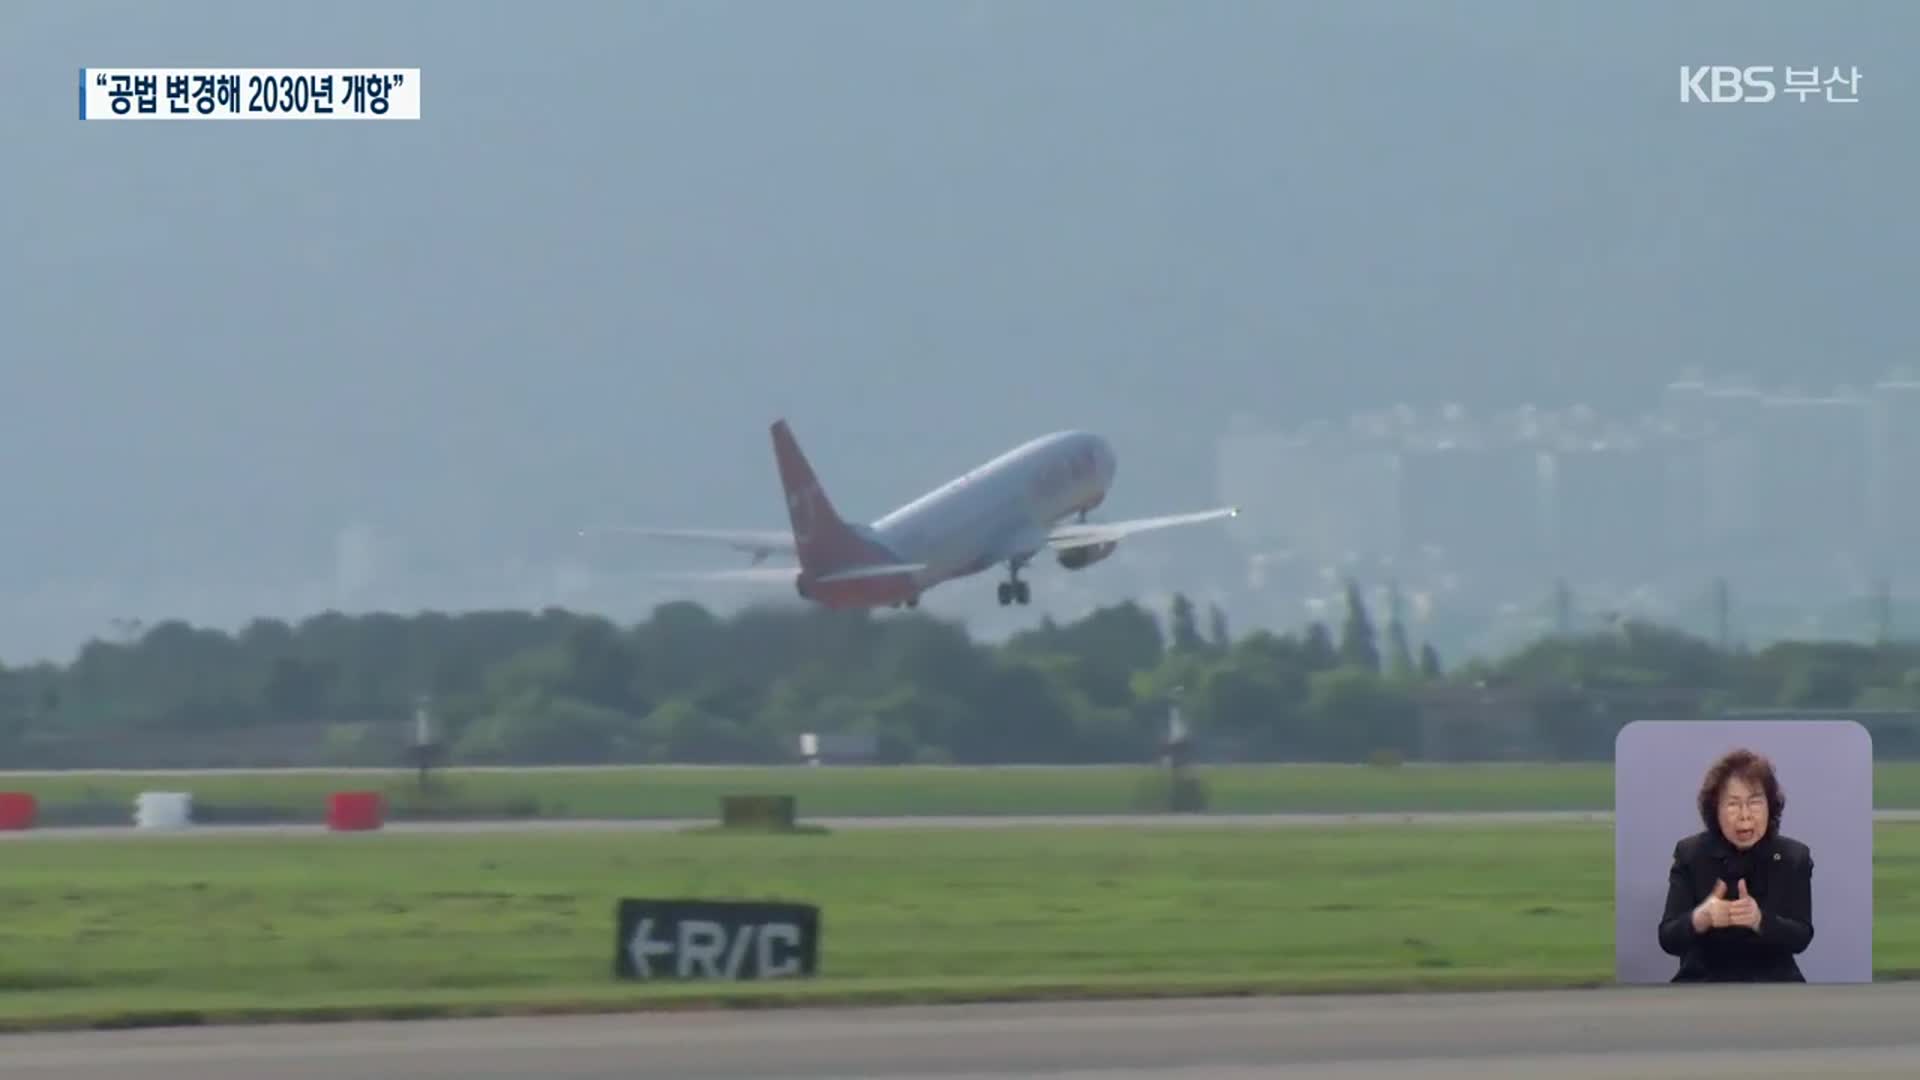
[[1644, 1033]]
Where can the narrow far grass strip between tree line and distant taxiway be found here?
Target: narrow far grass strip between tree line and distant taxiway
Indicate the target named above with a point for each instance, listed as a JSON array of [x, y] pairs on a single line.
[[832, 793]]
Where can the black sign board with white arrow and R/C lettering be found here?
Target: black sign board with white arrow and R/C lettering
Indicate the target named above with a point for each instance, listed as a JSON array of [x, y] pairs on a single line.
[[713, 939]]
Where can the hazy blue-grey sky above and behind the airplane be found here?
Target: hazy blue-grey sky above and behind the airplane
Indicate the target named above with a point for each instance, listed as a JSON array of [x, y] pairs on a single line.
[[629, 235]]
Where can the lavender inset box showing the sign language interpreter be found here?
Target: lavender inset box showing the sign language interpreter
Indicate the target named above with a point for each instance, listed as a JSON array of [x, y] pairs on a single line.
[[1744, 852]]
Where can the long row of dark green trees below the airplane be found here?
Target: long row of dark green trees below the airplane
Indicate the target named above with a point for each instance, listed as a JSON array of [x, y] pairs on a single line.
[[692, 687]]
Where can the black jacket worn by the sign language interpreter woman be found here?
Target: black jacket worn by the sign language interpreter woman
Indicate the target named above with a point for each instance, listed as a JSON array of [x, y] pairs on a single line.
[[1779, 875]]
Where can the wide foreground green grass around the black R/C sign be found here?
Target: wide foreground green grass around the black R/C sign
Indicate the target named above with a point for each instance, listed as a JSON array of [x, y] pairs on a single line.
[[185, 929]]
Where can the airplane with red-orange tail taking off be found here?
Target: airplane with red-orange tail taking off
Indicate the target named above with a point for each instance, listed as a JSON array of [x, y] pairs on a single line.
[[1005, 512]]
